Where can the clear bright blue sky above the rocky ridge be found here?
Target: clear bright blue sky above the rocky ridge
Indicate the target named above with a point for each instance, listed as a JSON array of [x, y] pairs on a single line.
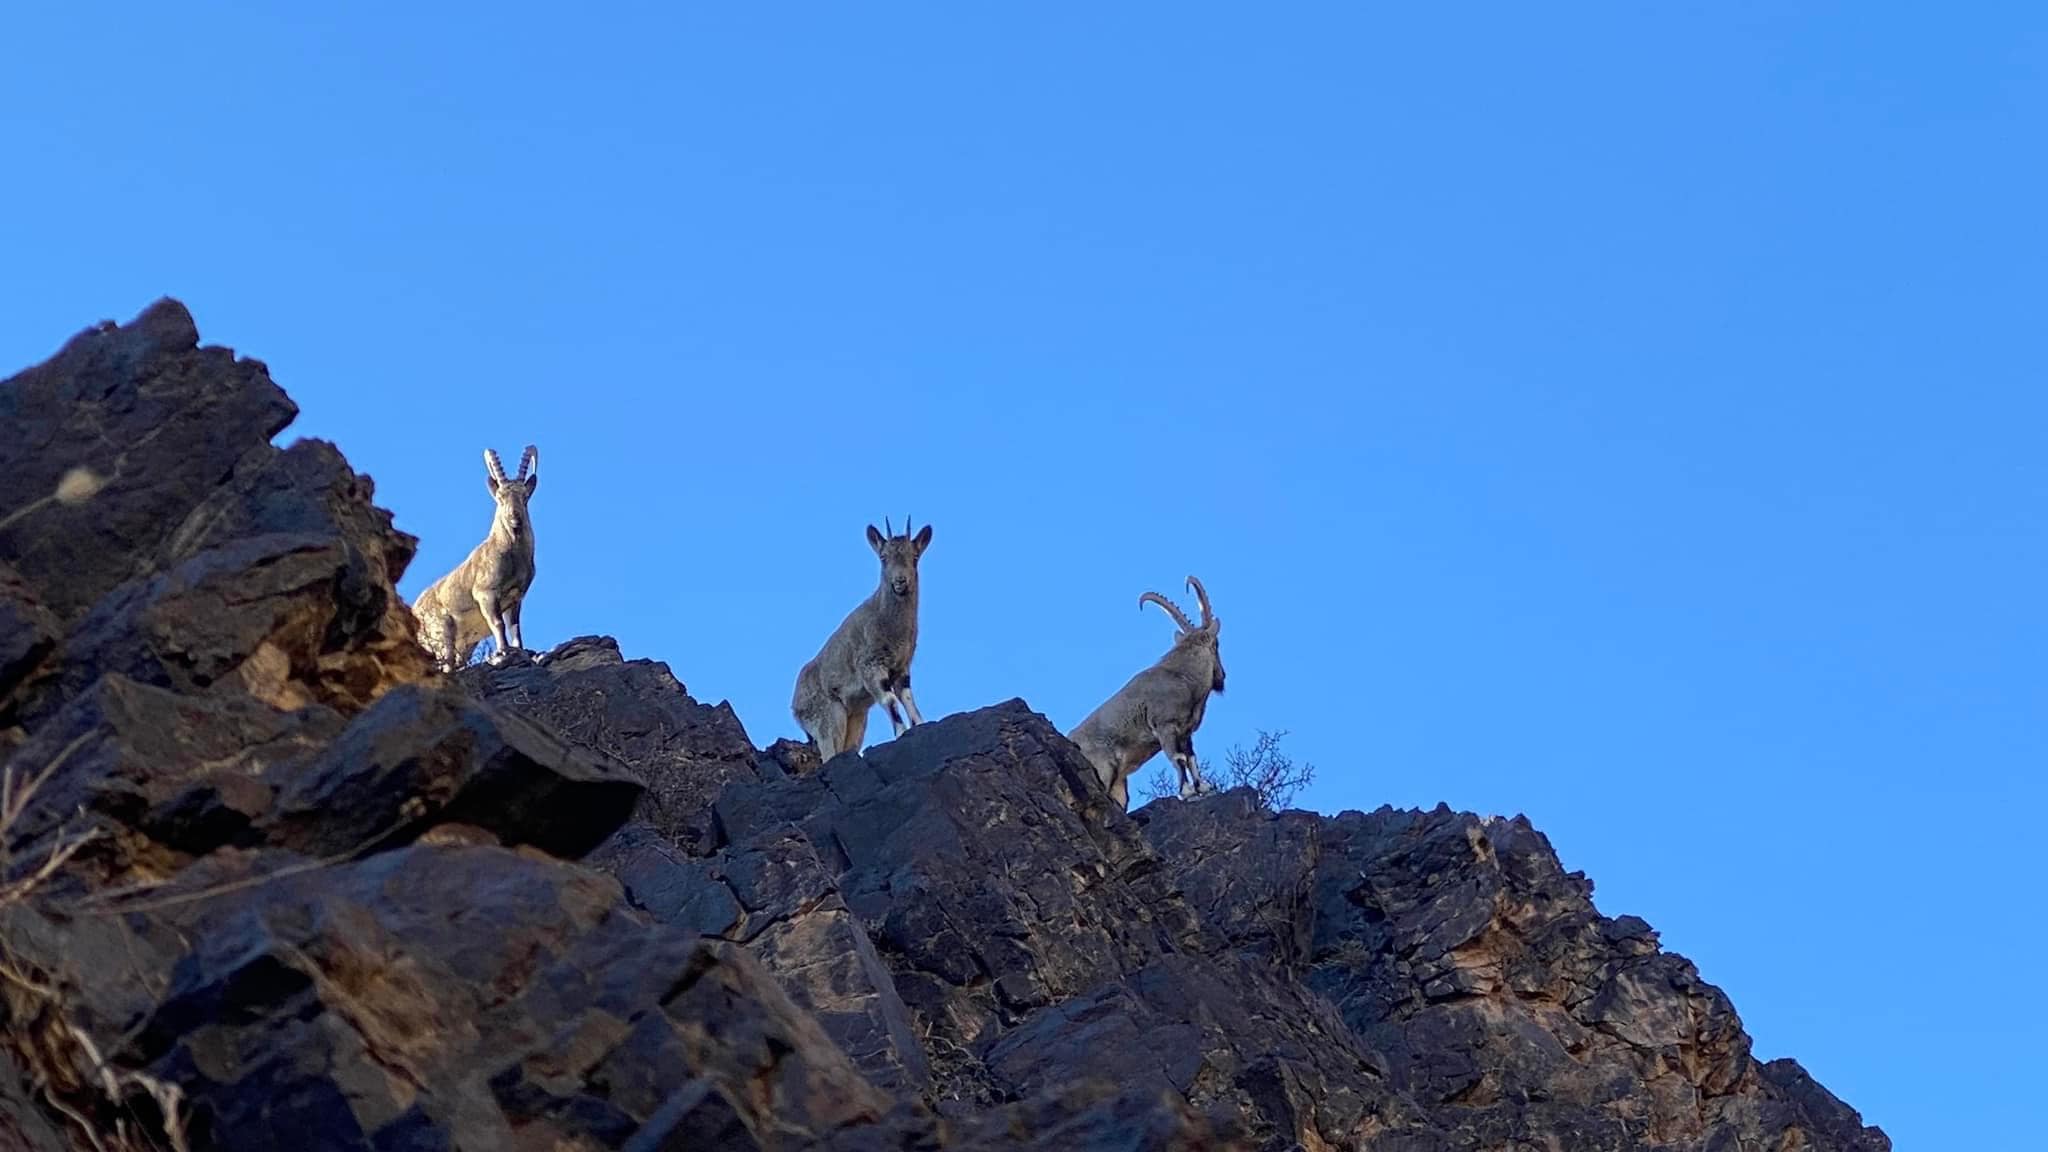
[[1629, 417]]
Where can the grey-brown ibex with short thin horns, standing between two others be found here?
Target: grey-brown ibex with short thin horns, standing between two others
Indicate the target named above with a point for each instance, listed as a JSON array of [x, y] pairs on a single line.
[[867, 659]]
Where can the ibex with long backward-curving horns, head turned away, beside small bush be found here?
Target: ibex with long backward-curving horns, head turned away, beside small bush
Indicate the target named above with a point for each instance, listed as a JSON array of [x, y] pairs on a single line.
[[1160, 708]]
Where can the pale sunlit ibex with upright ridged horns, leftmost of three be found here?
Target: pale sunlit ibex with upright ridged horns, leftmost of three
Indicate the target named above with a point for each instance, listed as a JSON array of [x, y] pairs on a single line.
[[484, 595]]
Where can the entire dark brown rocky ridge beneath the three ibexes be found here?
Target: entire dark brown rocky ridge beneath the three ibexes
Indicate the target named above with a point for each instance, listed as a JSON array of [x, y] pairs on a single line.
[[310, 895]]
